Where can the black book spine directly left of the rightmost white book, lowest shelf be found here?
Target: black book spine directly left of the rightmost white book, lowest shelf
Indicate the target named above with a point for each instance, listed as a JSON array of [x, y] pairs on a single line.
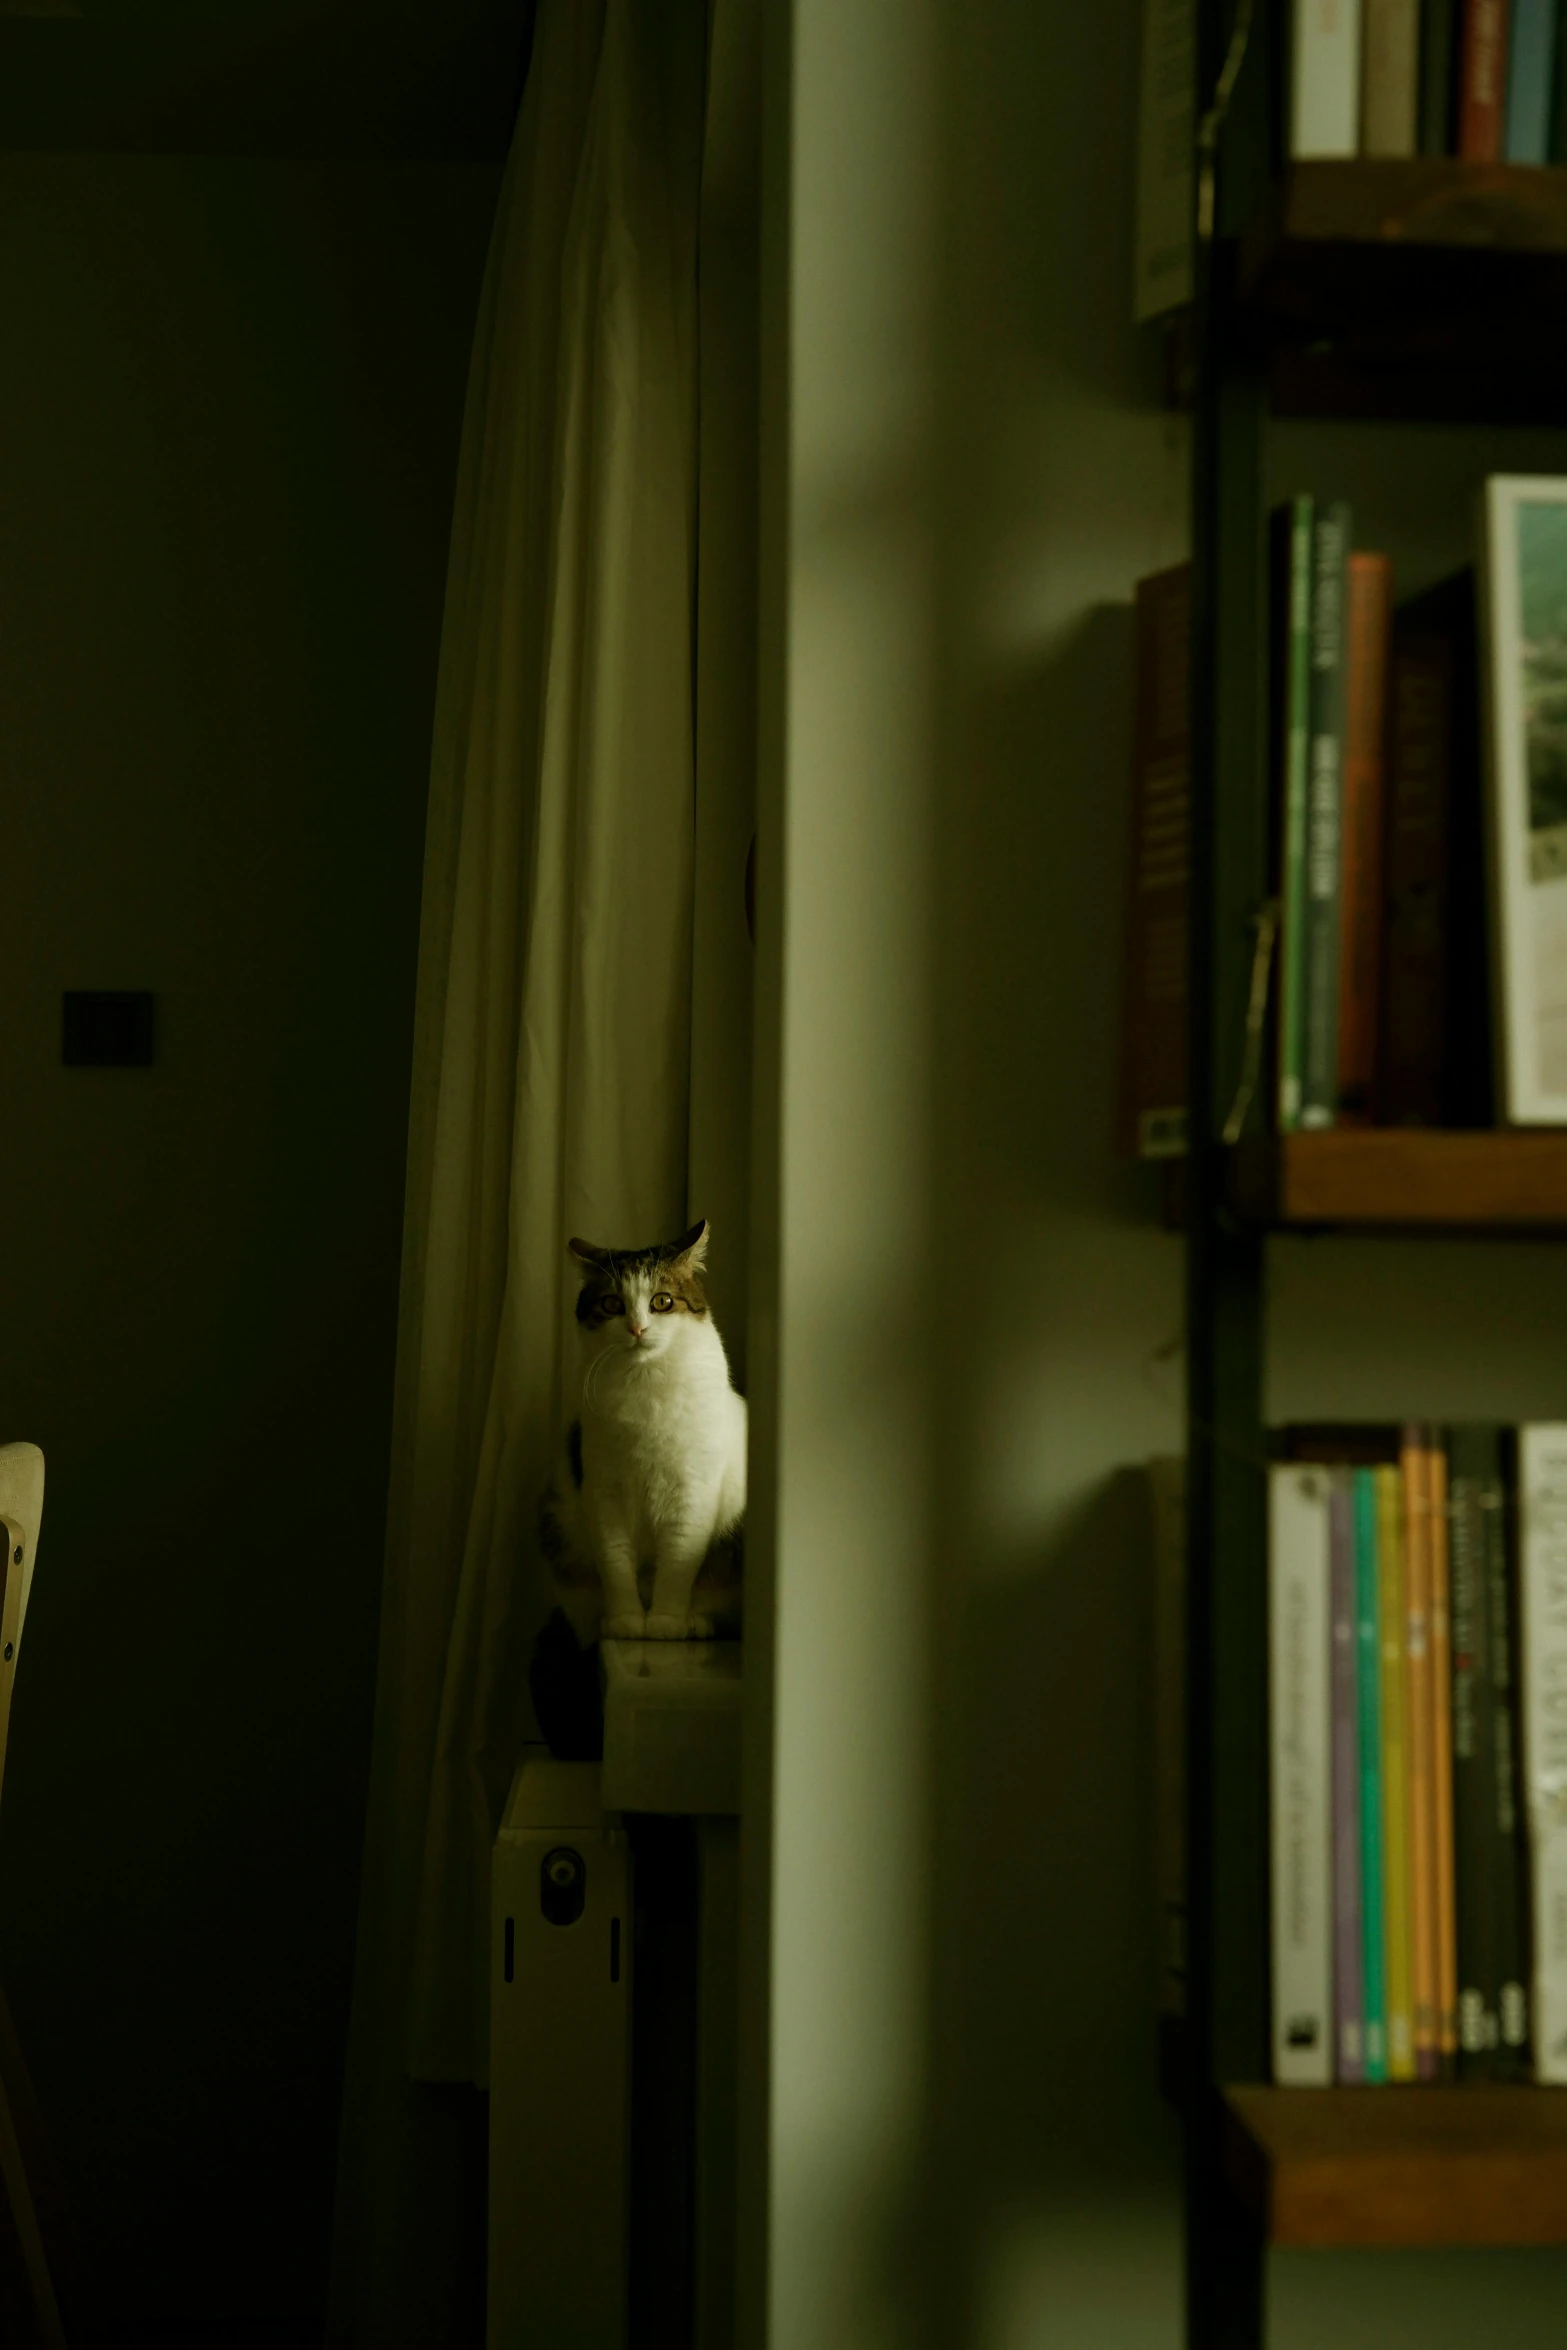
[[1509, 1853]]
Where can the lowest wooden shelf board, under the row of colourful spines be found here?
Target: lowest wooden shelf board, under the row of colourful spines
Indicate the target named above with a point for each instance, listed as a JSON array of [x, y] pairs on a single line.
[[1427, 2166]]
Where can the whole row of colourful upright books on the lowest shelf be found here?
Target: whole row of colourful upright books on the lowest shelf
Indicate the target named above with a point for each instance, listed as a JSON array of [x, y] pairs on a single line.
[[1418, 1743]]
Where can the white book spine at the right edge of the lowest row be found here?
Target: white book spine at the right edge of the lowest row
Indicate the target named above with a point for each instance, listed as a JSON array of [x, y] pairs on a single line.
[[1542, 1580]]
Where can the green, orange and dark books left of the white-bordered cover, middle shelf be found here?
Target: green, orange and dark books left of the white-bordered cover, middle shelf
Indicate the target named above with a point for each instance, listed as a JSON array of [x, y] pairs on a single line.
[[1383, 969]]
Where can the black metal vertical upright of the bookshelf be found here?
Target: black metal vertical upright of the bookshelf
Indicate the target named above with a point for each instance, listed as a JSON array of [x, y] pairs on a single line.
[[1228, 1985]]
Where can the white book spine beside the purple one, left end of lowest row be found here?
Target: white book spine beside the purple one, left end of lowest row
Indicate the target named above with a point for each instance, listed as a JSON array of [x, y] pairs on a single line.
[[1300, 1740]]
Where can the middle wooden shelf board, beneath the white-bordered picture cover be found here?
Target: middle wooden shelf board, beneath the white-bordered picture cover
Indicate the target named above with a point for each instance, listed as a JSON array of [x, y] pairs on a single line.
[[1401, 1179]]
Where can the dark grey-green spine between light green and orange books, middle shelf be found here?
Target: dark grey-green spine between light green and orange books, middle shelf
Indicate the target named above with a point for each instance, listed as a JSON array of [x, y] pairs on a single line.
[[1324, 810]]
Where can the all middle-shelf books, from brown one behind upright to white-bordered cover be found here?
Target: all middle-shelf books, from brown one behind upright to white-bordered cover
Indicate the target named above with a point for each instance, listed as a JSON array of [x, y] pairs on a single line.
[[1418, 821]]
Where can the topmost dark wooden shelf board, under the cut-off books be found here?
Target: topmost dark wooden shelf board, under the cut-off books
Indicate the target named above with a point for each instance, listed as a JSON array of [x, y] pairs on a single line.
[[1420, 290]]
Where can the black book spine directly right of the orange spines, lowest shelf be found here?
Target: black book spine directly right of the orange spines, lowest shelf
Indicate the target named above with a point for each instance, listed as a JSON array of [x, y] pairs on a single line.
[[1472, 1752]]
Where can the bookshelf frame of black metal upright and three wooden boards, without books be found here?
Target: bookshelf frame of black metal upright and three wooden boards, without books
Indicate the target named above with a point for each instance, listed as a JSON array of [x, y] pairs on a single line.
[[1364, 293]]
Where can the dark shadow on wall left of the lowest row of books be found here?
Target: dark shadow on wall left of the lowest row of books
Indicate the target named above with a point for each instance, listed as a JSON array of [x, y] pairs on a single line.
[[1056, 1876]]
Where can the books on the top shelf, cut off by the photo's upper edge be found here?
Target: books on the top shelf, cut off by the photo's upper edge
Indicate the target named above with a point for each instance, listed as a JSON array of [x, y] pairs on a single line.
[[1474, 79]]
